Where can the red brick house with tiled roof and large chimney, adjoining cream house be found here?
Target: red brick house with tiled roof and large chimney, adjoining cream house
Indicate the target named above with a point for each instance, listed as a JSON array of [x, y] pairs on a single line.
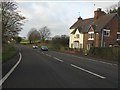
[[103, 30]]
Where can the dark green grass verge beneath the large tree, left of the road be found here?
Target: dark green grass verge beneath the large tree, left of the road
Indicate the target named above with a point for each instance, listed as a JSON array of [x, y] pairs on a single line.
[[8, 52]]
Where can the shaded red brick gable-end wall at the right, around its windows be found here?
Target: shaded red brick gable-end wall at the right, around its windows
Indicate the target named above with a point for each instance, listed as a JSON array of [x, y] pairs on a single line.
[[113, 27]]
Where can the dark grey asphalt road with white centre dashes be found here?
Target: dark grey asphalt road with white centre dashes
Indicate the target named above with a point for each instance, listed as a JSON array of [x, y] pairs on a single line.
[[50, 69]]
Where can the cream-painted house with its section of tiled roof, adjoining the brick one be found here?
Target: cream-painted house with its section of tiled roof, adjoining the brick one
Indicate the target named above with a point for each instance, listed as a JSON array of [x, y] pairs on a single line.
[[77, 31]]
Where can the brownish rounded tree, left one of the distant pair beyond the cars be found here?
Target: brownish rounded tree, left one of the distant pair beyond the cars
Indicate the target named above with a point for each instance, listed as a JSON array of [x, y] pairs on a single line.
[[33, 35]]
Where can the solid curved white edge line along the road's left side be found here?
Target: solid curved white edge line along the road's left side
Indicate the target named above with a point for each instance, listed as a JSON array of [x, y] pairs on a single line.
[[12, 69]]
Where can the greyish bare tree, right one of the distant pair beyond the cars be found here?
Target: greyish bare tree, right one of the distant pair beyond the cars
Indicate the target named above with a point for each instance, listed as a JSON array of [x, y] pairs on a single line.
[[44, 33]]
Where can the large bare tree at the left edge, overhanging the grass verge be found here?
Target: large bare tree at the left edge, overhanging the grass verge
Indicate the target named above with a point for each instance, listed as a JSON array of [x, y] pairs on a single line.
[[11, 19]]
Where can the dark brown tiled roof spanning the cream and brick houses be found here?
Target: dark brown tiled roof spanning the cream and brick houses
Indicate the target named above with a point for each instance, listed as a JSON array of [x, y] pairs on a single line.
[[84, 25]]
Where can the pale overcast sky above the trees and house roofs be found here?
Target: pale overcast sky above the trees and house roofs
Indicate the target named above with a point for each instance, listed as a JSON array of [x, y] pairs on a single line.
[[58, 16]]
